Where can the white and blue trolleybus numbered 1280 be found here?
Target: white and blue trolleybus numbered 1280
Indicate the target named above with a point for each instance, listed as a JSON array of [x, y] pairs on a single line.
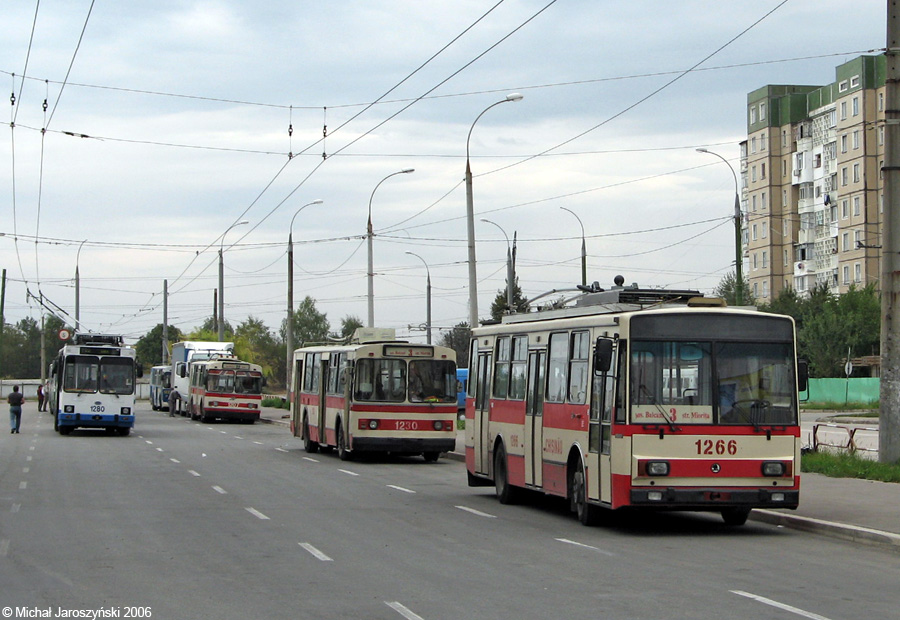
[[92, 384]]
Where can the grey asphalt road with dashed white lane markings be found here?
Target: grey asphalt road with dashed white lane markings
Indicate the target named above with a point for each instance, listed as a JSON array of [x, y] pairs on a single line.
[[190, 520]]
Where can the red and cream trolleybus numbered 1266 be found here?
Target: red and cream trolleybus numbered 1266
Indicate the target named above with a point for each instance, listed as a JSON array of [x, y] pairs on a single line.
[[638, 398]]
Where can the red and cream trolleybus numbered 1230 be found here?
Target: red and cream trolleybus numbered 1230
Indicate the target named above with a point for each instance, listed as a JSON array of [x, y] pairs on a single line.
[[376, 394]]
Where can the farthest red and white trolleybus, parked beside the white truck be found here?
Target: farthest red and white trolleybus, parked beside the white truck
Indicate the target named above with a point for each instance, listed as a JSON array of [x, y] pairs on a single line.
[[225, 388]]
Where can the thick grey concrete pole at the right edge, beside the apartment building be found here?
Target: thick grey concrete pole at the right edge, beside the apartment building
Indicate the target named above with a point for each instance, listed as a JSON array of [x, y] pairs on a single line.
[[889, 417]]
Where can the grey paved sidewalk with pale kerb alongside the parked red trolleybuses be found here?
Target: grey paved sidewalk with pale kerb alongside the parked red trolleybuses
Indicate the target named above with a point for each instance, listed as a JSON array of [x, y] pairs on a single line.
[[852, 509]]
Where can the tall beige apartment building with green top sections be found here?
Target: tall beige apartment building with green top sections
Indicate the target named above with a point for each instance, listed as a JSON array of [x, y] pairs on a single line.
[[812, 184]]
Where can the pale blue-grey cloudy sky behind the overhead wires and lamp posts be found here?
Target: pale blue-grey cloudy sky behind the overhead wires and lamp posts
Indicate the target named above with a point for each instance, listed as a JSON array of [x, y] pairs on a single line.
[[167, 122]]
